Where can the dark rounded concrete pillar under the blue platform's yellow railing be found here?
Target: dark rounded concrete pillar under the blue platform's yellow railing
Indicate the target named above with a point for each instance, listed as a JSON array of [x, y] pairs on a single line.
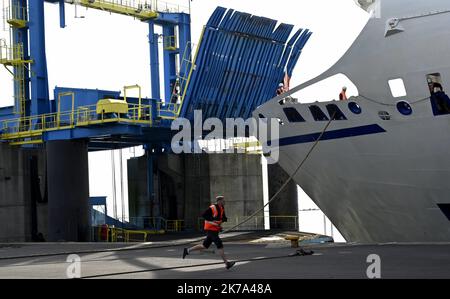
[[68, 174]]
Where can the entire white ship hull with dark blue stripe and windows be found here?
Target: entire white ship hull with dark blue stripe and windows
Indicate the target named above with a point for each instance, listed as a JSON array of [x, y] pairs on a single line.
[[379, 178]]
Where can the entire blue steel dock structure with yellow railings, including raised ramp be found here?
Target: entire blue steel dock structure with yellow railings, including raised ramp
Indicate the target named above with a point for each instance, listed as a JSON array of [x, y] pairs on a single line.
[[238, 64]]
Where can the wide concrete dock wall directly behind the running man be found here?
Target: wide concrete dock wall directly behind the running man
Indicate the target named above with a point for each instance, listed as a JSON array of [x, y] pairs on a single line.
[[187, 185]]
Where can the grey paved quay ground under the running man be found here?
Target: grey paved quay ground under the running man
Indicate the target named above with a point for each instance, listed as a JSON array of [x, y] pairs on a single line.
[[266, 260]]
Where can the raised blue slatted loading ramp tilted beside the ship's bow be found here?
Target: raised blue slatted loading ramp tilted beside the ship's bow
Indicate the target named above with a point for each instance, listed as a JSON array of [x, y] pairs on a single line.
[[239, 64]]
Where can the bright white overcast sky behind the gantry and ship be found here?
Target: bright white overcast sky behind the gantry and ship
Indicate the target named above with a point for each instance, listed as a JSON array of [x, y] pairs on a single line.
[[109, 51]]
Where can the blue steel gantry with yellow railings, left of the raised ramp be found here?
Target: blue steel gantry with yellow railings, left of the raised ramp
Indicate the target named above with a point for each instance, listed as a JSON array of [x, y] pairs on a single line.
[[35, 118]]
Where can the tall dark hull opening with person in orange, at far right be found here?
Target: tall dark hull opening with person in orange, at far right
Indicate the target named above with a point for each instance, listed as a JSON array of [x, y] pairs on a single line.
[[440, 102]]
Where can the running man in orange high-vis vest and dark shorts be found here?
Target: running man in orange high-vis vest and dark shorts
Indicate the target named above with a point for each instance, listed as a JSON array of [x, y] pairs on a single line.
[[214, 217]]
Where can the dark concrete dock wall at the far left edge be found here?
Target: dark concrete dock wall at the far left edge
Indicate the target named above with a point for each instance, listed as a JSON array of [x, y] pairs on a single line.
[[23, 208]]
